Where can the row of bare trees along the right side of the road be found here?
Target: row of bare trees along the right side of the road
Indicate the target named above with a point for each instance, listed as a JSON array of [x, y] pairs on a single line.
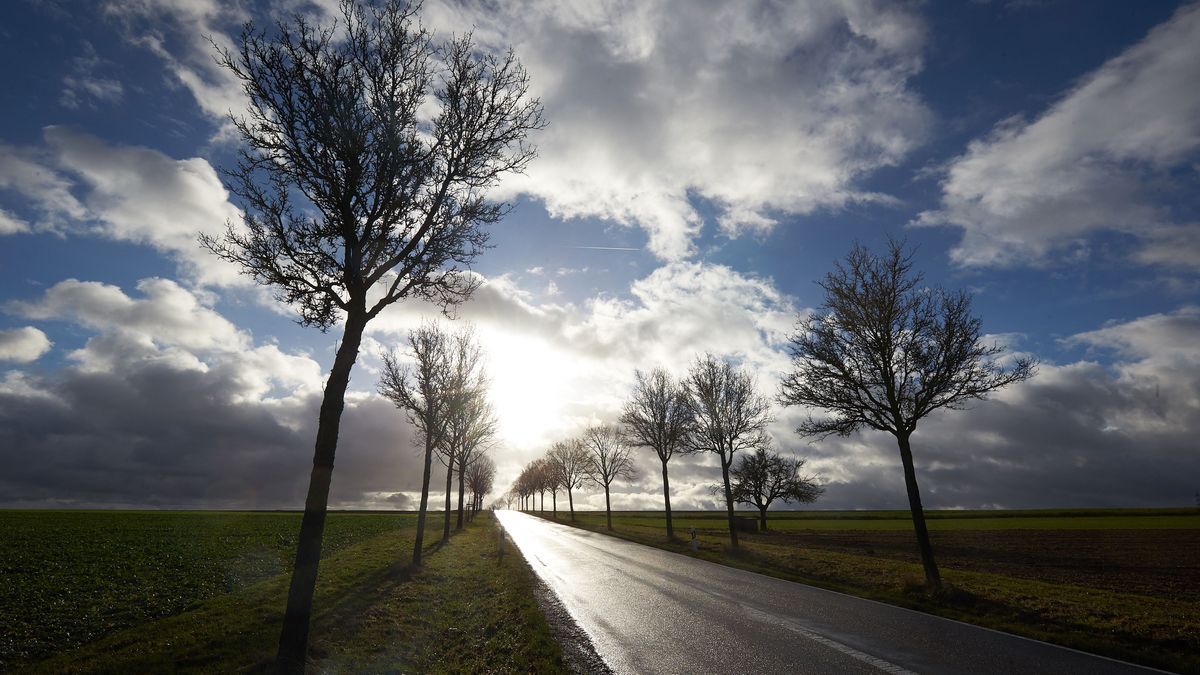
[[884, 353]]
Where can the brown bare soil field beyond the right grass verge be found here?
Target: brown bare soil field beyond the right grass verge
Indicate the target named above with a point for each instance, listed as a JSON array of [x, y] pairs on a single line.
[[1162, 564]]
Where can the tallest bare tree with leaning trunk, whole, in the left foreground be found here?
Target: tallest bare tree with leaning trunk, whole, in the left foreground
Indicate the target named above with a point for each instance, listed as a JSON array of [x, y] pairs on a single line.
[[349, 192]]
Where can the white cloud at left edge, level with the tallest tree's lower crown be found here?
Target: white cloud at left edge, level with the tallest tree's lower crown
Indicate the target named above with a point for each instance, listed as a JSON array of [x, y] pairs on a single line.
[[79, 184]]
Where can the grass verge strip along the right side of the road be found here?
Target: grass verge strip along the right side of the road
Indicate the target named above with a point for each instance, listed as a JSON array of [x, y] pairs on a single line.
[[1162, 632]]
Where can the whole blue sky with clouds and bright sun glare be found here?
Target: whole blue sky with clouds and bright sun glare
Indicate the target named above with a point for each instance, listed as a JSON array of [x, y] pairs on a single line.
[[705, 164]]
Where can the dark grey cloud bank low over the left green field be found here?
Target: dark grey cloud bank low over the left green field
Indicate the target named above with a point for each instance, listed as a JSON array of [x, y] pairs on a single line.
[[159, 435]]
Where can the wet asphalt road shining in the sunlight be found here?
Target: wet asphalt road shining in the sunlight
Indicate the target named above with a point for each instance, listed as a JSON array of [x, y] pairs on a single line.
[[650, 611]]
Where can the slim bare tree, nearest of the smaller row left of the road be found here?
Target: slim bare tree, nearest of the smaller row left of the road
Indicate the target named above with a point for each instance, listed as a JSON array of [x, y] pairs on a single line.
[[424, 392]]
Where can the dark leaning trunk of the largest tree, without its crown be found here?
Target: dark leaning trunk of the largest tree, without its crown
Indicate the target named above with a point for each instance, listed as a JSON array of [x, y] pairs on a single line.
[[295, 634]]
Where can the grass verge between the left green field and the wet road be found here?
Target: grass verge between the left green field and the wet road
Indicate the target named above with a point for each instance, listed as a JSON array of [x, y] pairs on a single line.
[[463, 612]]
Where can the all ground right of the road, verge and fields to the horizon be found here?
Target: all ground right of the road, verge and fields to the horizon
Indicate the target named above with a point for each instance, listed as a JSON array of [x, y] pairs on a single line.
[[1123, 583]]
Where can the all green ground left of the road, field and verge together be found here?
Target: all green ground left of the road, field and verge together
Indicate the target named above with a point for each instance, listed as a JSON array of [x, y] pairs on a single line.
[[203, 592]]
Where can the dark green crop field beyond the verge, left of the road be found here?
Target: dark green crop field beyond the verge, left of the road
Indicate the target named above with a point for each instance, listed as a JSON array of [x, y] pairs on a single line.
[[71, 577]]
